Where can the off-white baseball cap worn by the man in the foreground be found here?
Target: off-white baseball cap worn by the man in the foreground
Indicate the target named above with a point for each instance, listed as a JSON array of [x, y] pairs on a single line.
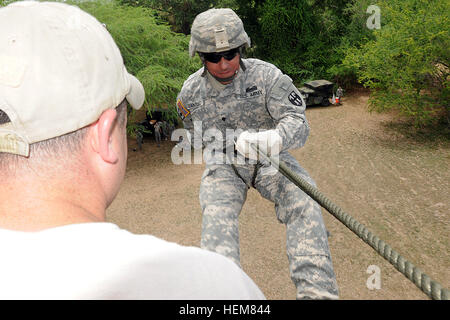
[[59, 70]]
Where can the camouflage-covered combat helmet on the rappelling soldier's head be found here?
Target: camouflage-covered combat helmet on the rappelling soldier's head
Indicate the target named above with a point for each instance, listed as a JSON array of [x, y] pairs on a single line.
[[217, 30]]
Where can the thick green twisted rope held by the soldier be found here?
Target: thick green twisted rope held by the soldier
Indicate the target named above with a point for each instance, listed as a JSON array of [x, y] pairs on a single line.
[[430, 287]]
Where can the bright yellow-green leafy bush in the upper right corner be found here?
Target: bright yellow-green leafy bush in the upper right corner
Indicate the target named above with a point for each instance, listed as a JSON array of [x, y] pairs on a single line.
[[406, 64]]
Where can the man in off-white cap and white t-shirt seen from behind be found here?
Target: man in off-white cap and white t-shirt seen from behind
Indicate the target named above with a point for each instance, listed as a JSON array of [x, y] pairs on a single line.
[[63, 96]]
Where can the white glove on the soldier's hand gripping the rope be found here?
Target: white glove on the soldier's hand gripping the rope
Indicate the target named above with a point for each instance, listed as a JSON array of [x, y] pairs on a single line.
[[269, 142]]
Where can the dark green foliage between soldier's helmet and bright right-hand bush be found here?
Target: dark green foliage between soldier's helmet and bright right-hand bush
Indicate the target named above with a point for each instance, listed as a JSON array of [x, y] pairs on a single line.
[[299, 36]]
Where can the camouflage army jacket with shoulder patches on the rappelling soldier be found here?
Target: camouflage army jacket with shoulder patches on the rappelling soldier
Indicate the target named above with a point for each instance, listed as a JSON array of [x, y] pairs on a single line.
[[259, 98]]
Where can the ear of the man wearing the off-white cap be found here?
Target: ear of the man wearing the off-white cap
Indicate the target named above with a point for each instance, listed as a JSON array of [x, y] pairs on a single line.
[[102, 135]]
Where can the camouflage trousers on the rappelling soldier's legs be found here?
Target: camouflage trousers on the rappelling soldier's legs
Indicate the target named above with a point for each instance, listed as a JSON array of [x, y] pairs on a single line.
[[223, 191]]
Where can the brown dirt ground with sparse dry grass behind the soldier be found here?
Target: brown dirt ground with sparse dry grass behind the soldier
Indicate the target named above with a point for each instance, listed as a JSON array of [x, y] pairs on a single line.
[[397, 186]]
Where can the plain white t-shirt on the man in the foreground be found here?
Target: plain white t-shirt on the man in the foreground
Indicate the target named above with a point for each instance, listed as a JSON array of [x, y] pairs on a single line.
[[102, 261]]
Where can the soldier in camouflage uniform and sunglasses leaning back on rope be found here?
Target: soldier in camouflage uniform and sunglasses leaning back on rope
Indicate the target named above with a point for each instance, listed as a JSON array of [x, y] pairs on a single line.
[[230, 92]]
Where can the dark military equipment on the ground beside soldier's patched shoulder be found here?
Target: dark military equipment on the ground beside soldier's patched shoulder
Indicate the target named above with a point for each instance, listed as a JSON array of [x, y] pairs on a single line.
[[317, 92]]
